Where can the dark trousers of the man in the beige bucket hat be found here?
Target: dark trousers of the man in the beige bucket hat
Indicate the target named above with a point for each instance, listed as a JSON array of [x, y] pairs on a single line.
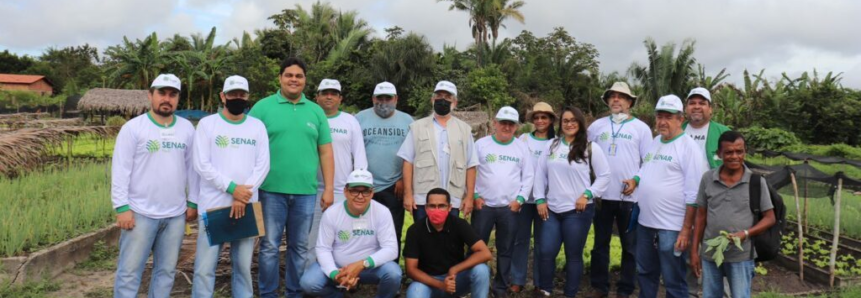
[[618, 213]]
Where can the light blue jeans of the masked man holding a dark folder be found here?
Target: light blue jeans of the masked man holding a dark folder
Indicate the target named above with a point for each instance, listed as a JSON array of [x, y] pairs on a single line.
[[206, 261]]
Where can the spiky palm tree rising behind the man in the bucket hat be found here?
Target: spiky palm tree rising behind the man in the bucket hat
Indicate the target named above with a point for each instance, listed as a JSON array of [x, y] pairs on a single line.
[[666, 72]]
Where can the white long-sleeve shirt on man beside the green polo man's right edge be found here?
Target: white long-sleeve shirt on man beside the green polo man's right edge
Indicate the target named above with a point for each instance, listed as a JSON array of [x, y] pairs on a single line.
[[348, 146]]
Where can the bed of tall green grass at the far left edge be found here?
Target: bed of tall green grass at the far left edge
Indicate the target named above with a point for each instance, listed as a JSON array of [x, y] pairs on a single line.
[[49, 206]]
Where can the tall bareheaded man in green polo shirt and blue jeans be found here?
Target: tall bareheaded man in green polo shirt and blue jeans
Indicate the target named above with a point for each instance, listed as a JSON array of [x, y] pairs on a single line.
[[299, 145]]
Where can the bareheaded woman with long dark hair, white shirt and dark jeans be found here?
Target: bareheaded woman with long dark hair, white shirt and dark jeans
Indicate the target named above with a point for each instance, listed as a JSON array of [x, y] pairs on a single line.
[[564, 188]]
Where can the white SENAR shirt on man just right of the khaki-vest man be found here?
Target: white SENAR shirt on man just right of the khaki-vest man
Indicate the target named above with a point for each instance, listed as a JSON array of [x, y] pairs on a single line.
[[505, 171]]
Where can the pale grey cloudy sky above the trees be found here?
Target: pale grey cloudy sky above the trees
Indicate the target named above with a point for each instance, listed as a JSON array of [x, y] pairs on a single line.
[[780, 36]]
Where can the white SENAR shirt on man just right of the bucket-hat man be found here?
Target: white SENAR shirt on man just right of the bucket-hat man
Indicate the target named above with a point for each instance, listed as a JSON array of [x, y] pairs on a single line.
[[668, 181]]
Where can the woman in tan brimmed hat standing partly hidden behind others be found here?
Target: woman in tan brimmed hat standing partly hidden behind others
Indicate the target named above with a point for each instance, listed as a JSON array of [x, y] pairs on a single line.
[[543, 118]]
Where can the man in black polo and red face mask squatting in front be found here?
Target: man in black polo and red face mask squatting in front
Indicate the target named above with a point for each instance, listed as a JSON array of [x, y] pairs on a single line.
[[435, 254]]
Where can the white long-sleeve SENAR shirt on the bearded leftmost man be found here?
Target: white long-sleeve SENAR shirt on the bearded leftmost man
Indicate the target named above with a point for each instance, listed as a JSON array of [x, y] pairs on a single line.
[[151, 168]]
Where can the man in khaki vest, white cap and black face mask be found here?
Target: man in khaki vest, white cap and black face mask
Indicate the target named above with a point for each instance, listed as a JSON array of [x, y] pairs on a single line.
[[439, 152]]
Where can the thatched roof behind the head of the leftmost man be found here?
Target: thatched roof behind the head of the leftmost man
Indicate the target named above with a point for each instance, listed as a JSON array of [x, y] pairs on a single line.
[[101, 100]]
